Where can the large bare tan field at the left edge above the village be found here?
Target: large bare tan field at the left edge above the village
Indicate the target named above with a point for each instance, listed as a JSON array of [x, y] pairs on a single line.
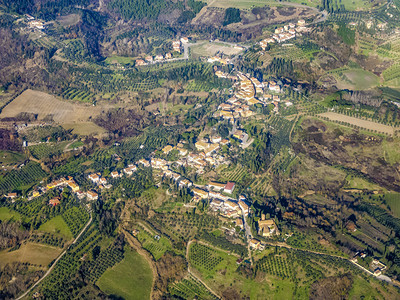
[[44, 104]]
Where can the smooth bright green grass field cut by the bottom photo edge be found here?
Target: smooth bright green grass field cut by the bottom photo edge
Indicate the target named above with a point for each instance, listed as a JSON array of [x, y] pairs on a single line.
[[129, 279]]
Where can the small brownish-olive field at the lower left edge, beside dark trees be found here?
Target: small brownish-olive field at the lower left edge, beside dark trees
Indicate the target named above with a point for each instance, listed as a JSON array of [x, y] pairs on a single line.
[[32, 253]]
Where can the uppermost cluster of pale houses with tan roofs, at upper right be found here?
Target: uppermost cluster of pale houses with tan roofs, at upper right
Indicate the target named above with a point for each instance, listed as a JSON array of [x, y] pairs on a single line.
[[285, 33]]
